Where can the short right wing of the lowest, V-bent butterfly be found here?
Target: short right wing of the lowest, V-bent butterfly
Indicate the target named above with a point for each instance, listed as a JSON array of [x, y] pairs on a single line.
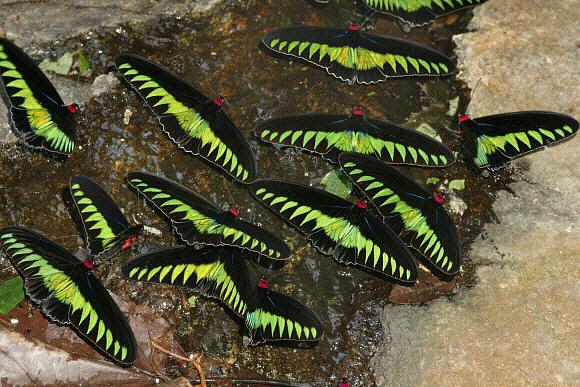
[[274, 316]]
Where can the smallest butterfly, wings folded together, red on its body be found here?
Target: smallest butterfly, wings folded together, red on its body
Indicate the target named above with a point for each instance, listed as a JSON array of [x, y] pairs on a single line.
[[106, 228]]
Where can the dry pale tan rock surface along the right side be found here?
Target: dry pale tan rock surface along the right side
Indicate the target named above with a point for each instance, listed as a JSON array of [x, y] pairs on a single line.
[[519, 325]]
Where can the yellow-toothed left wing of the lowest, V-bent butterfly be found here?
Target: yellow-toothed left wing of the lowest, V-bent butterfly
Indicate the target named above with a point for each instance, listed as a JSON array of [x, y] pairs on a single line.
[[217, 272]]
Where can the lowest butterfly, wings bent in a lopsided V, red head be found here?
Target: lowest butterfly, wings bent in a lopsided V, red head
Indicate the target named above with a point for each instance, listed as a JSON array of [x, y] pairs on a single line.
[[220, 272]]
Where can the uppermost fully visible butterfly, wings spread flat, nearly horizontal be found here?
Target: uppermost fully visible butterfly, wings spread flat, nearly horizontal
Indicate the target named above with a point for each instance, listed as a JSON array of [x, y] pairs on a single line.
[[353, 56]]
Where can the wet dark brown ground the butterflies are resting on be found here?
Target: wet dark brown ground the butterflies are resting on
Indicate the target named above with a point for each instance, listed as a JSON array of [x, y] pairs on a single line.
[[220, 53]]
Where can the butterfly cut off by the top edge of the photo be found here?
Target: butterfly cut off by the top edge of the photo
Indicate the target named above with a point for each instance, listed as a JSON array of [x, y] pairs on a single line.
[[419, 12]]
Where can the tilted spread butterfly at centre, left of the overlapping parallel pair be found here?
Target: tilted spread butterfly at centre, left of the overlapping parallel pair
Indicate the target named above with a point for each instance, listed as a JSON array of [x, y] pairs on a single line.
[[339, 228]]
